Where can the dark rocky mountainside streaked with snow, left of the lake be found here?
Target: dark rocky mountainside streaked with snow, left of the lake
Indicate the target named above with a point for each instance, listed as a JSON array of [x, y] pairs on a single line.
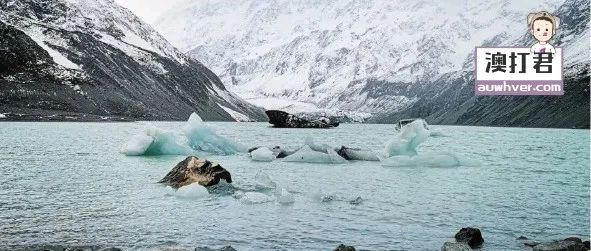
[[93, 58]]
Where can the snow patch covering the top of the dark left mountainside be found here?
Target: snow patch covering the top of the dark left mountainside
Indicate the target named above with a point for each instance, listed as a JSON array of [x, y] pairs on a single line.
[[103, 18]]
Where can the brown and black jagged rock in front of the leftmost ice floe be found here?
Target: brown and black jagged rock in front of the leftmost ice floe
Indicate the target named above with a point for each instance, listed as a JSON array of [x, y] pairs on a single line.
[[192, 170]]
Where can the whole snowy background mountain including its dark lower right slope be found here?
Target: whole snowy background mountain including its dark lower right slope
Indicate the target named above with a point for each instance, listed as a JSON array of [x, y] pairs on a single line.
[[392, 59]]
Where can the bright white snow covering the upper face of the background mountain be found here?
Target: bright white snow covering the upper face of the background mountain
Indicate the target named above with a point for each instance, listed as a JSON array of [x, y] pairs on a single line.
[[325, 52]]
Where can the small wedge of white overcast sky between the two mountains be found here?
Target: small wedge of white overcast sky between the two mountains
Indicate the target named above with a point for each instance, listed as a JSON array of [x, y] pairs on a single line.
[[148, 10]]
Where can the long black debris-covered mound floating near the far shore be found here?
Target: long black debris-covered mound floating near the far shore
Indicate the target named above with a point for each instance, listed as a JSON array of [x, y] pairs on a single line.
[[283, 119]]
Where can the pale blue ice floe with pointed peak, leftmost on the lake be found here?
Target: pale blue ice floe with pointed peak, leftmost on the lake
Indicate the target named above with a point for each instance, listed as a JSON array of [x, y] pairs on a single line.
[[194, 137]]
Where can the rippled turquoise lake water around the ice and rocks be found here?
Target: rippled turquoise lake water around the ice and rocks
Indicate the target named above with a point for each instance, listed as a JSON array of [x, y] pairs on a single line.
[[67, 183]]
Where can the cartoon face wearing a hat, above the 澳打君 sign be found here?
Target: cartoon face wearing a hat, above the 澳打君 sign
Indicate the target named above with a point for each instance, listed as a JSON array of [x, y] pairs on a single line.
[[542, 25]]
